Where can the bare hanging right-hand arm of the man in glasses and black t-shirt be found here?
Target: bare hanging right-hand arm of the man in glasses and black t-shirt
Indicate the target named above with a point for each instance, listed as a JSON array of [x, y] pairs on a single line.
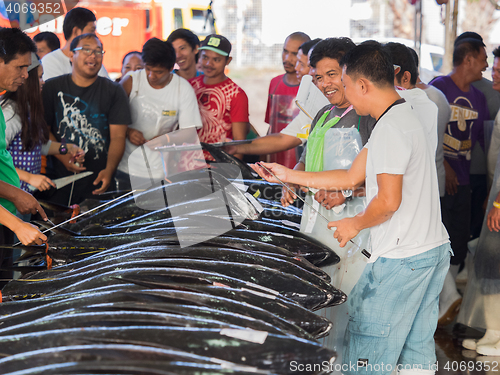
[[115, 153]]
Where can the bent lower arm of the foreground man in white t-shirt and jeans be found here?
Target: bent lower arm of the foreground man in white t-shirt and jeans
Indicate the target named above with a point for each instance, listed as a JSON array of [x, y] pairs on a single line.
[[380, 209]]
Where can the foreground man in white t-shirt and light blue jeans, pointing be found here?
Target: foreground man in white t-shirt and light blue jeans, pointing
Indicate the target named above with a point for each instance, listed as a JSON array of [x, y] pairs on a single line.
[[393, 309]]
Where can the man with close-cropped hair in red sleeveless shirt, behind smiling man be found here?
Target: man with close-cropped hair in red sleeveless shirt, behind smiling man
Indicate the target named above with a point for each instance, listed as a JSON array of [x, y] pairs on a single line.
[[281, 108]]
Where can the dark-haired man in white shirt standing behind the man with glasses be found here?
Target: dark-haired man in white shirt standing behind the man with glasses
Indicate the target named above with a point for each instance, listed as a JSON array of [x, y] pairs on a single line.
[[76, 22]]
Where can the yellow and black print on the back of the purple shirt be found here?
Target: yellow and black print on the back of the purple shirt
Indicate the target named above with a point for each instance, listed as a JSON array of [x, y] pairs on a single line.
[[457, 138]]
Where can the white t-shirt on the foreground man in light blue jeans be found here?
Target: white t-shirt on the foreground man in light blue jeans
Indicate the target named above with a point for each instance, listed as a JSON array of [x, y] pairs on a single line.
[[398, 145]]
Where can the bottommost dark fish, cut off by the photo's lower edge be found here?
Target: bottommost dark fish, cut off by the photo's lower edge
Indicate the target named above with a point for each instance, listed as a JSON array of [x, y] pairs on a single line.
[[38, 361]]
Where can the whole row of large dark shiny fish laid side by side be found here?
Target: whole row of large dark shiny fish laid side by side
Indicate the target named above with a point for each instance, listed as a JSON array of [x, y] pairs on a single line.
[[117, 293]]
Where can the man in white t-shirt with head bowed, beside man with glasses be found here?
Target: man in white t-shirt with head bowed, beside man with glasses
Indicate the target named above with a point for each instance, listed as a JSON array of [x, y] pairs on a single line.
[[160, 102]]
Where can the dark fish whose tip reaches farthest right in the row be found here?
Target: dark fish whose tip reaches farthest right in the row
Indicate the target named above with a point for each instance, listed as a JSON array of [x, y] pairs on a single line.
[[230, 273]]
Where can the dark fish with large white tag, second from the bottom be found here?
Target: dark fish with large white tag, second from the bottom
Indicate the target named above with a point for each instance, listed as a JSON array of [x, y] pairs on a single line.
[[263, 350]]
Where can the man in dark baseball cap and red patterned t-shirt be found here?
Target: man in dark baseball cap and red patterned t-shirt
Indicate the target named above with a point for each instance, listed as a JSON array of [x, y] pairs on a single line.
[[223, 104]]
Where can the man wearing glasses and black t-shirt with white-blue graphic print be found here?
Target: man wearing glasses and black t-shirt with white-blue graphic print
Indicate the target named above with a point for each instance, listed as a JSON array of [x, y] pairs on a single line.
[[90, 111]]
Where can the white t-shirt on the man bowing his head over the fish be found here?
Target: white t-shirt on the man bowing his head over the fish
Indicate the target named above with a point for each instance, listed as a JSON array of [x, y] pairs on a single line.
[[156, 112]]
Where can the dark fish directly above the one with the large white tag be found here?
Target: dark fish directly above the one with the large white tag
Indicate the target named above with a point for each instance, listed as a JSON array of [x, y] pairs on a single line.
[[172, 299]]
